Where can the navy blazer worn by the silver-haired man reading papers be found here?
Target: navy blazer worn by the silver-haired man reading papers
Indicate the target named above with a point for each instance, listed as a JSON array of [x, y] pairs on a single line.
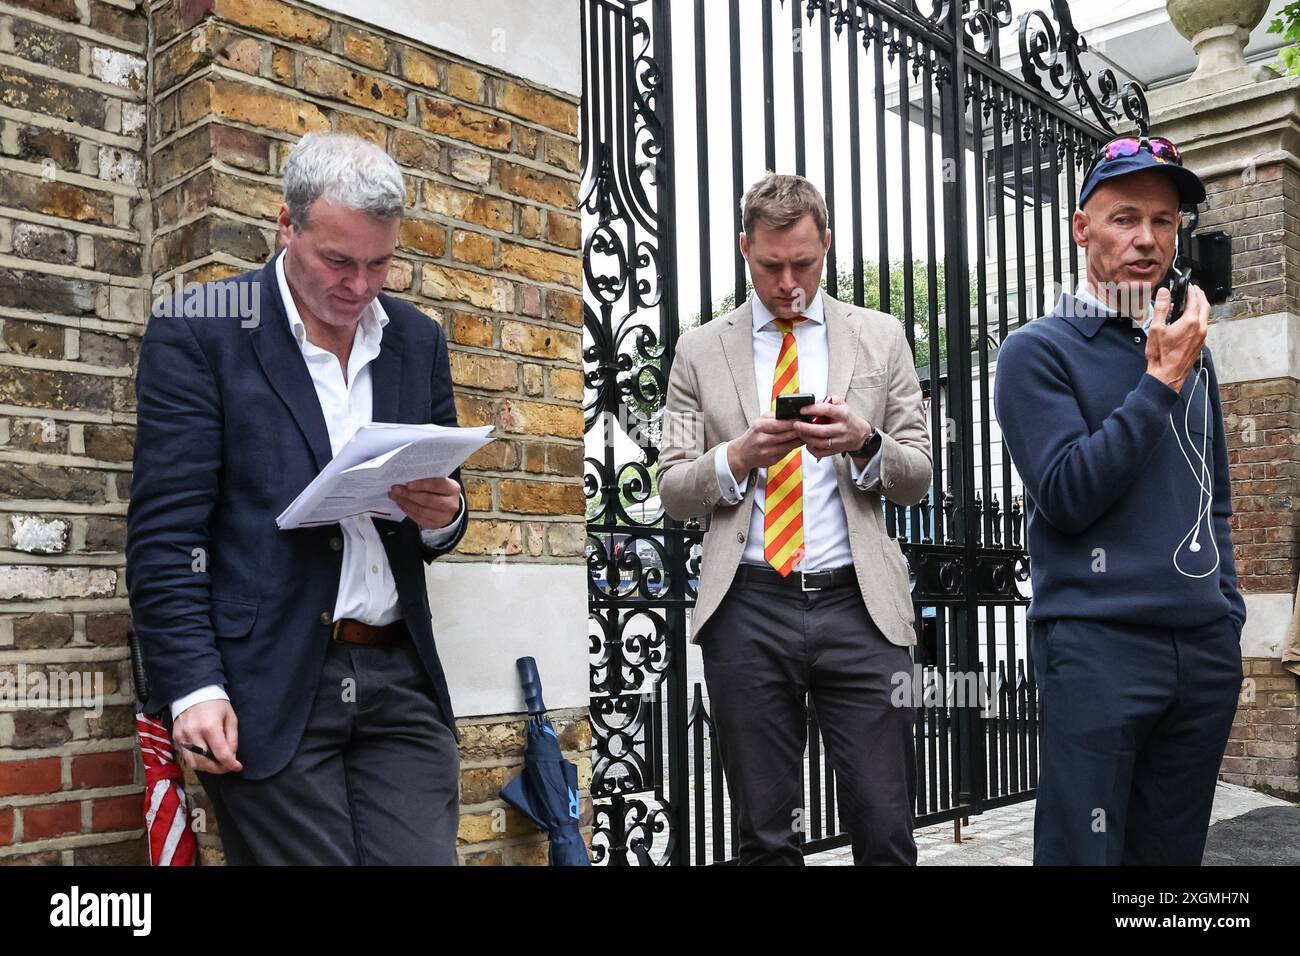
[[229, 432]]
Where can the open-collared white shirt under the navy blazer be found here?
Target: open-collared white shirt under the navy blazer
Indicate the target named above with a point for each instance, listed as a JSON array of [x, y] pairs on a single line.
[[366, 589]]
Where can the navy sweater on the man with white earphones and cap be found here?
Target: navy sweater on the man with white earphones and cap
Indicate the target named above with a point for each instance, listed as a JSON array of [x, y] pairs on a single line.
[[1110, 495]]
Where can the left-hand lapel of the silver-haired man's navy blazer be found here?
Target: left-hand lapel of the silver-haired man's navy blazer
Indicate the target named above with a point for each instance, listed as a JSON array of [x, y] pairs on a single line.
[[283, 362]]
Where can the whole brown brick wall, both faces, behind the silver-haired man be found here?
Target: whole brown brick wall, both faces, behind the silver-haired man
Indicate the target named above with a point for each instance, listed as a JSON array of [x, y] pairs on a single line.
[[98, 215]]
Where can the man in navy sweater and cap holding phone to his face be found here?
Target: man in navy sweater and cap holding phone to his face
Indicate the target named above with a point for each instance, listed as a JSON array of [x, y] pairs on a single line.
[[1112, 417]]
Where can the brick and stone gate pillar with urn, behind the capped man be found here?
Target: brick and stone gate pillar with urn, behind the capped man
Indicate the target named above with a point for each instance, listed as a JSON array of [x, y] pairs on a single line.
[[1240, 131]]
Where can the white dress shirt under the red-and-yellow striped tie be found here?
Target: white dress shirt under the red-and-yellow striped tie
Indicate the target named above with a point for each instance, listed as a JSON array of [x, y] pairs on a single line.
[[826, 530]]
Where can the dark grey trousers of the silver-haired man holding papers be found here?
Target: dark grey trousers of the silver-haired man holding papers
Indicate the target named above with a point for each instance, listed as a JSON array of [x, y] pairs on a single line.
[[375, 780]]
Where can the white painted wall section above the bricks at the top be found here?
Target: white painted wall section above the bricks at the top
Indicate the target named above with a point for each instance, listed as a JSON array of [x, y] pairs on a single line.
[[532, 40]]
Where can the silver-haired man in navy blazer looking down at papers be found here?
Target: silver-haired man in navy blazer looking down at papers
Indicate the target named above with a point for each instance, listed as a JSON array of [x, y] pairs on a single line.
[[298, 667]]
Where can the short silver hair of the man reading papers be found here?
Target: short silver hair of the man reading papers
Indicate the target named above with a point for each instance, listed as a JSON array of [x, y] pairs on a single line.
[[344, 170]]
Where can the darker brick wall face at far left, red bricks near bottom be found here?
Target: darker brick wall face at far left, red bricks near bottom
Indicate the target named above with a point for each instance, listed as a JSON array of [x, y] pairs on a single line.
[[75, 222]]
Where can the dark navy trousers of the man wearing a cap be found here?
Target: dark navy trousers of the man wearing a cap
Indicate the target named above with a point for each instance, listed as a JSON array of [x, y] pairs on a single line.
[[1133, 726]]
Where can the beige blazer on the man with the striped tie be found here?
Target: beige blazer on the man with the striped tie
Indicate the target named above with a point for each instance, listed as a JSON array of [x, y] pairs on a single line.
[[713, 396]]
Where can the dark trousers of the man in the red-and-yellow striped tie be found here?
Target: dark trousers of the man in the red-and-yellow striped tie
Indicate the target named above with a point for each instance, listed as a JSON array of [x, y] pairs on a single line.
[[765, 648]]
